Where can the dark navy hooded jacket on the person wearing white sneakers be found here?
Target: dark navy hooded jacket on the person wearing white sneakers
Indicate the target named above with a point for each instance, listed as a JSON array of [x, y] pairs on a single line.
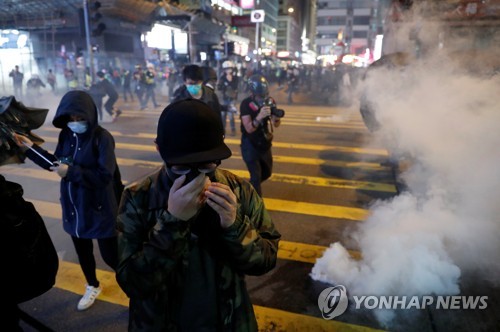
[[88, 200]]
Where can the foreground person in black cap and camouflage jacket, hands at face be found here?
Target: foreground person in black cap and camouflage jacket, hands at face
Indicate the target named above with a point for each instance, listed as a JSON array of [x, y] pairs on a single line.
[[187, 241]]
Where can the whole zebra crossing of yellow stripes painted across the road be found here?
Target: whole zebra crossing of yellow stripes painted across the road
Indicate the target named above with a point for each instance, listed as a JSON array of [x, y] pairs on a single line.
[[136, 154]]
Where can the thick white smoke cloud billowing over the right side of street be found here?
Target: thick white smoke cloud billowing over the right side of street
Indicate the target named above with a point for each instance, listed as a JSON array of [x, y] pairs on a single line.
[[422, 241]]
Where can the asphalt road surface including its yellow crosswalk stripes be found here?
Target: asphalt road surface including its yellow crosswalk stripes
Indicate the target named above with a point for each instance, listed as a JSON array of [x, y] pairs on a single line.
[[327, 172]]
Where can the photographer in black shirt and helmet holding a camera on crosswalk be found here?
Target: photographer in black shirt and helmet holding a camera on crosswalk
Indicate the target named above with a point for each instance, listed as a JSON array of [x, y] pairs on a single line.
[[259, 116]]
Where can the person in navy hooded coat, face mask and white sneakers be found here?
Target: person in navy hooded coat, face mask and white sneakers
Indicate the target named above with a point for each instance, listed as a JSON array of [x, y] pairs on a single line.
[[85, 160]]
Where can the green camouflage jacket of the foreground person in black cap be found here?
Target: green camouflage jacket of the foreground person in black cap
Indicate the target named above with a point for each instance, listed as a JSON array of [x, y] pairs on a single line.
[[189, 275]]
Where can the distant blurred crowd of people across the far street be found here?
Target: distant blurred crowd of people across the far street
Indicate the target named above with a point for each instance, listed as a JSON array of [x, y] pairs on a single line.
[[330, 85]]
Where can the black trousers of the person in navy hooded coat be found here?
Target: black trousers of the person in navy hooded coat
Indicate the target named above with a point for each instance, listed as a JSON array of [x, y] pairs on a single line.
[[108, 248]]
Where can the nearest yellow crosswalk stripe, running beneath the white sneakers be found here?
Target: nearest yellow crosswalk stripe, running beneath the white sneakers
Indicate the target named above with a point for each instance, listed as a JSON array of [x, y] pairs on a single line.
[[70, 278]]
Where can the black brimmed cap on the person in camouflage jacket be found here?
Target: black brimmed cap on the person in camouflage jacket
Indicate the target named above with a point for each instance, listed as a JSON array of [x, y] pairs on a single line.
[[189, 131]]
